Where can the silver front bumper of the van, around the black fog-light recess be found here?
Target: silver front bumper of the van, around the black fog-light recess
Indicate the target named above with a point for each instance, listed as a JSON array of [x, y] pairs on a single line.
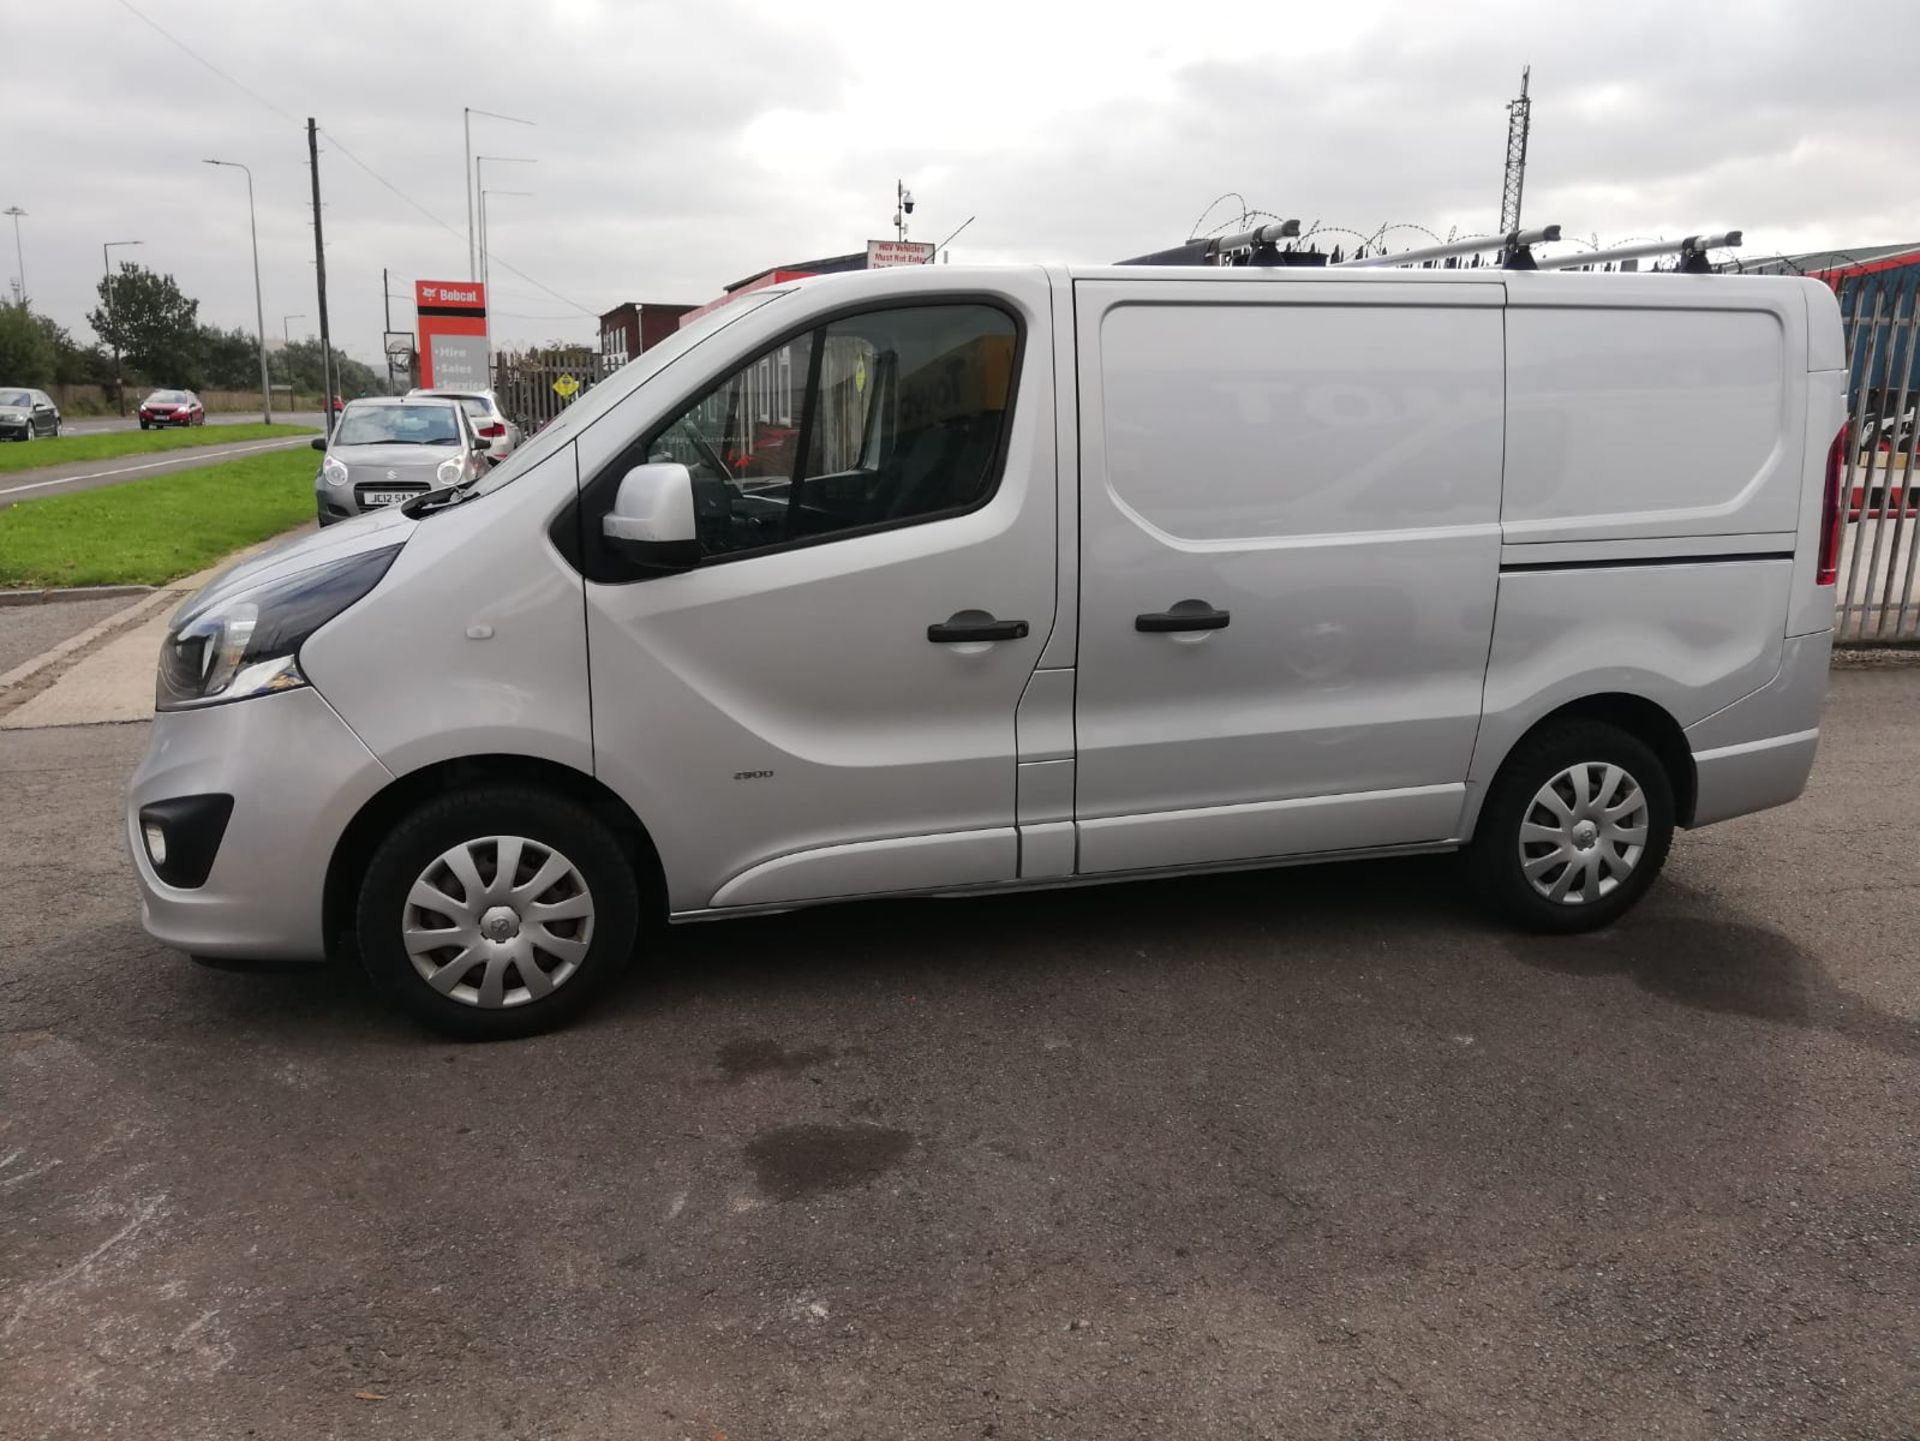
[[299, 776]]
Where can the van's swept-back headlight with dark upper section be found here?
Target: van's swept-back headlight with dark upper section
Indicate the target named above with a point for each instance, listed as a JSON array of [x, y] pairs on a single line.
[[249, 642]]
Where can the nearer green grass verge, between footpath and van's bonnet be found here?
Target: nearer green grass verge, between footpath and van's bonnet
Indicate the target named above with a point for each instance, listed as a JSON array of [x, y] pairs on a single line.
[[147, 532]]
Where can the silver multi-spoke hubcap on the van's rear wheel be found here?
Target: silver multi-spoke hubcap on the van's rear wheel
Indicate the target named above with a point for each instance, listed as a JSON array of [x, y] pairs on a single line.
[[1583, 834]]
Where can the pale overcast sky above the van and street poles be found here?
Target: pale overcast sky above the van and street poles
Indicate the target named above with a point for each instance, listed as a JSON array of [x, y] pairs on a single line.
[[683, 147]]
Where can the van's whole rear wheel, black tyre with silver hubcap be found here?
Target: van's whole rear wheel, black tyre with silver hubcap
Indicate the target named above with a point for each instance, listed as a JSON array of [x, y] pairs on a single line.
[[1575, 828]]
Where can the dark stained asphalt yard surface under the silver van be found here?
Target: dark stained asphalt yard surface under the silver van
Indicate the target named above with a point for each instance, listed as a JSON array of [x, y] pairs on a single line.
[[1312, 1154]]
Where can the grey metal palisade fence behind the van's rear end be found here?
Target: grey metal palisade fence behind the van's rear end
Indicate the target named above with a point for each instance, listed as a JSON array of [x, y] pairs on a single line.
[[1879, 594]]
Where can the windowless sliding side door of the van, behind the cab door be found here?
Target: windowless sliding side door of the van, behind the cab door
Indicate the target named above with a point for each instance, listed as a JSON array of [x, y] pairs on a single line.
[[1289, 555]]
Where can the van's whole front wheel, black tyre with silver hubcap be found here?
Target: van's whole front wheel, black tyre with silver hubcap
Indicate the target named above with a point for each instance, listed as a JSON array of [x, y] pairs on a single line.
[[498, 912]]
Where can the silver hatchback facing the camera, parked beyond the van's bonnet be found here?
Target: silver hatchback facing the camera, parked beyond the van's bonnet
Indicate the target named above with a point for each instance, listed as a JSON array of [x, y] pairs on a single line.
[[385, 452]]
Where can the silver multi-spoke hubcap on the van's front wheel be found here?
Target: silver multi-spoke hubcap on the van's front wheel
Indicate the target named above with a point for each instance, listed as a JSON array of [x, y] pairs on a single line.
[[498, 922]]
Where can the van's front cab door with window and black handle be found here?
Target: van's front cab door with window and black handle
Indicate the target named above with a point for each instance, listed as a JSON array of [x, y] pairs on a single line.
[[827, 705]]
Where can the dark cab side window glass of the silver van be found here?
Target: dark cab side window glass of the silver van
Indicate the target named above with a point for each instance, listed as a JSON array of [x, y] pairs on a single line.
[[901, 415]]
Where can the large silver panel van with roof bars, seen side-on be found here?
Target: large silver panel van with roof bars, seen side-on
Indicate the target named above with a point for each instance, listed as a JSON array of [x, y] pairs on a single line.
[[949, 580]]
